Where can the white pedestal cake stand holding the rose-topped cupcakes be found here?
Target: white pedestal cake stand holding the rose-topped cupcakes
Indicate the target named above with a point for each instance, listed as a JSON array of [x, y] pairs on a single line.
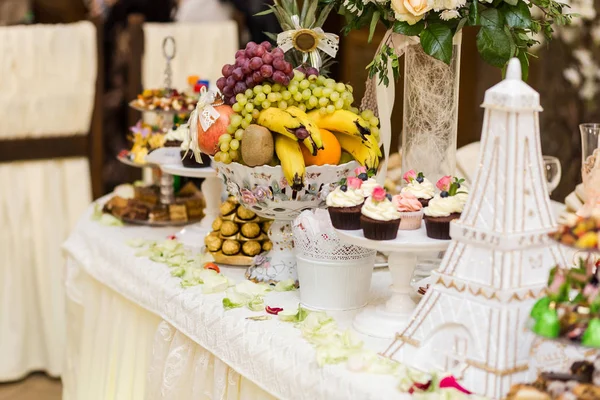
[[385, 320]]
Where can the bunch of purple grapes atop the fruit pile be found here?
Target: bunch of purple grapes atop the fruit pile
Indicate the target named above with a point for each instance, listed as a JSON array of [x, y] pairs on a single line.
[[254, 65]]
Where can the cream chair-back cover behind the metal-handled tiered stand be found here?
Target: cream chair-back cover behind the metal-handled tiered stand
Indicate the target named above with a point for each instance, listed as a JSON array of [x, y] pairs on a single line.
[[202, 49]]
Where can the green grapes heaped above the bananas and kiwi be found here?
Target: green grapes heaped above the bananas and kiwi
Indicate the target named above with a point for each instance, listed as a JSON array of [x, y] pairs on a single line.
[[306, 93]]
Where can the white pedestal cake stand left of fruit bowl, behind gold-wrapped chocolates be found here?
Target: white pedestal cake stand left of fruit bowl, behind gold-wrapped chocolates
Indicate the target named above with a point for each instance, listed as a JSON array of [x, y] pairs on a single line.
[[193, 235]]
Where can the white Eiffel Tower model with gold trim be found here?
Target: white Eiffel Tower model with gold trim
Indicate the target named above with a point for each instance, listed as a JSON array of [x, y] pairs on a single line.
[[472, 320]]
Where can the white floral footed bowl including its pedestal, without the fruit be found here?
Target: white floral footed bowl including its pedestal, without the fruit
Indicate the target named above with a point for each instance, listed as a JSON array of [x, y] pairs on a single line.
[[265, 191]]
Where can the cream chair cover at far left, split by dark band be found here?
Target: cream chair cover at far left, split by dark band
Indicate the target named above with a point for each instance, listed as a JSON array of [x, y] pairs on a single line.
[[48, 89]]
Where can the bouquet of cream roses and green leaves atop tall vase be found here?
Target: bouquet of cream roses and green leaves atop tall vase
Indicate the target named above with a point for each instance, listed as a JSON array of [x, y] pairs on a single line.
[[507, 27]]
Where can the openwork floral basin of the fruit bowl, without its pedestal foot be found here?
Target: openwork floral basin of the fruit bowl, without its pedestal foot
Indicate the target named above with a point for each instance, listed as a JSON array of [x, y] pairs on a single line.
[[265, 190]]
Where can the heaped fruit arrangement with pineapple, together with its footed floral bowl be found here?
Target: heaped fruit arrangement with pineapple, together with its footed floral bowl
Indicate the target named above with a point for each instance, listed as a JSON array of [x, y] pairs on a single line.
[[283, 135]]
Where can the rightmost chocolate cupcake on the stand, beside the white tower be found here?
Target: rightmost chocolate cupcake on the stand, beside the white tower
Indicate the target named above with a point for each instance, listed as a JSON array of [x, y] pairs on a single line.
[[443, 208]]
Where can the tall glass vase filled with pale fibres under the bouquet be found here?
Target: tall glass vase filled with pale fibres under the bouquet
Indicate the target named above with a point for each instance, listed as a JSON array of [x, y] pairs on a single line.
[[430, 112]]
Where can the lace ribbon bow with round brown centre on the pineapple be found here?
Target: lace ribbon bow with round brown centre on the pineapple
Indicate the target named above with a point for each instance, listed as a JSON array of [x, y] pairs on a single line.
[[309, 42]]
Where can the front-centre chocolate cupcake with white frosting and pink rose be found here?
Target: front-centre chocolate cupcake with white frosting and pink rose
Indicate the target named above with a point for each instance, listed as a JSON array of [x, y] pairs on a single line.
[[380, 219]]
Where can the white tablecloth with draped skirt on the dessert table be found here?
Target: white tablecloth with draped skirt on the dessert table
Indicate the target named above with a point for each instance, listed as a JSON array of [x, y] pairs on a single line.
[[119, 303]]
